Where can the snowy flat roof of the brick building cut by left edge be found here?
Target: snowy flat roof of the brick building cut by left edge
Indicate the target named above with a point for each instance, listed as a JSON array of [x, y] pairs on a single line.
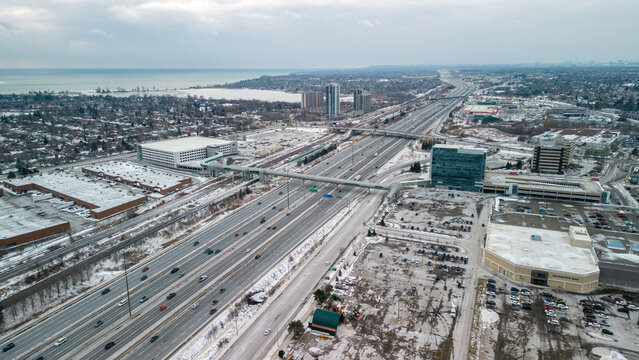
[[16, 221]]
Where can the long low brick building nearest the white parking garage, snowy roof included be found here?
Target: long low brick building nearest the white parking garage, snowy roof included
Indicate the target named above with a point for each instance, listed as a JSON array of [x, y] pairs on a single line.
[[138, 176]]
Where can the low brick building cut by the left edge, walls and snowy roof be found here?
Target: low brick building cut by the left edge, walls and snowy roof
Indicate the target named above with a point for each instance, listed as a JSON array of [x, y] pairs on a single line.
[[19, 225]]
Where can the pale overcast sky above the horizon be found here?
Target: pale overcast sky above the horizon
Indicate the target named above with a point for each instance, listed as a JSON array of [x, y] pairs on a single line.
[[313, 33]]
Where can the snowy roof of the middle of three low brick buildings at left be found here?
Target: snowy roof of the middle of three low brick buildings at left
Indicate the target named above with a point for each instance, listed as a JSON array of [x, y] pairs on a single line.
[[102, 195]]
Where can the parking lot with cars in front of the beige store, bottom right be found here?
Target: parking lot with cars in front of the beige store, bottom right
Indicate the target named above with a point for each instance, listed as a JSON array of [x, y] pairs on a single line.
[[551, 323]]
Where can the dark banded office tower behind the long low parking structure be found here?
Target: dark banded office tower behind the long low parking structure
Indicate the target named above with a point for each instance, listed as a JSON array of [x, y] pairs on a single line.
[[551, 157]]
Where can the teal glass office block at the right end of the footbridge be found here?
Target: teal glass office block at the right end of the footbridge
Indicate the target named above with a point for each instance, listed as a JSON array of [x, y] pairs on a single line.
[[458, 167]]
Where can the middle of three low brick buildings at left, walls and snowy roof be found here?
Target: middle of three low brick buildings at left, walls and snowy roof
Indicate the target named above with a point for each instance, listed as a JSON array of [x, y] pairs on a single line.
[[103, 200]]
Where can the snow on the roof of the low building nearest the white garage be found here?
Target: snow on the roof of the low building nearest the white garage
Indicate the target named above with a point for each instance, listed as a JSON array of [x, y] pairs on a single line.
[[141, 173]]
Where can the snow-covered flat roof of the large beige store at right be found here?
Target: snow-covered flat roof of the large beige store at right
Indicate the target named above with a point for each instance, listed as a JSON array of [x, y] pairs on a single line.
[[554, 253]]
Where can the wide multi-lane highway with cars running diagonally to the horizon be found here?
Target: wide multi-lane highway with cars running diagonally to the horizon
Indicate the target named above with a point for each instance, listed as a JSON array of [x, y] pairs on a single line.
[[77, 322]]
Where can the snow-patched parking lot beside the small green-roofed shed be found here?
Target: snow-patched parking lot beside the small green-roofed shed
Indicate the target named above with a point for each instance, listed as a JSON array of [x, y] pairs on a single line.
[[397, 297]]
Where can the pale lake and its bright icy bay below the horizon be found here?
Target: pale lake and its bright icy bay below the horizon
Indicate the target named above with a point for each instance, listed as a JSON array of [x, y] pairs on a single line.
[[22, 81]]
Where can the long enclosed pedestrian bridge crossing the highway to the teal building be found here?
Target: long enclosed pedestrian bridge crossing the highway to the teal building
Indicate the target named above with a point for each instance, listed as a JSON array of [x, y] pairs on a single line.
[[248, 172]]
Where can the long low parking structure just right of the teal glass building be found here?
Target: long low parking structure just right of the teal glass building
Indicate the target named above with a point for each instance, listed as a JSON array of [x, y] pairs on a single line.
[[545, 187]]
